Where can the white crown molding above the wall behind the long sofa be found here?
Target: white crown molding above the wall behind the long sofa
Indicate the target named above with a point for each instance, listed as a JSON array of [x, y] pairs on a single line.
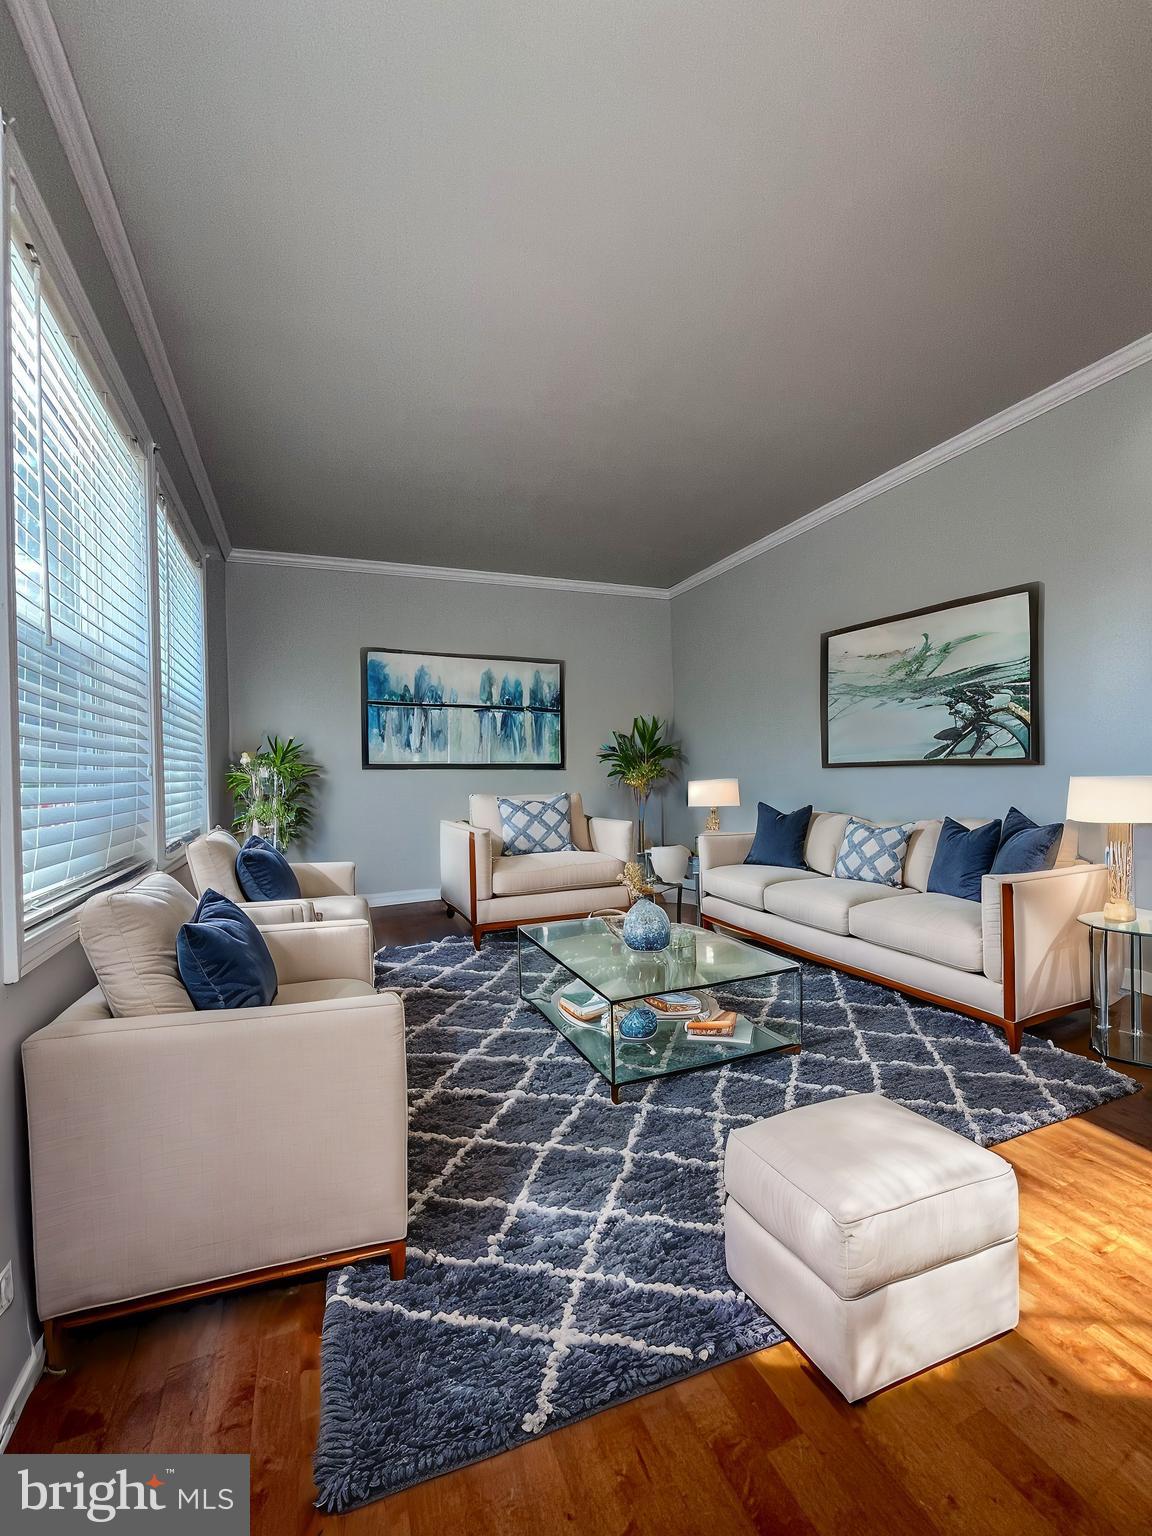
[[1096, 374]]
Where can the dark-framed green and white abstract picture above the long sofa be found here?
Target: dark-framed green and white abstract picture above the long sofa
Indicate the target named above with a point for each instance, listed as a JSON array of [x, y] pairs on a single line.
[[984, 701]]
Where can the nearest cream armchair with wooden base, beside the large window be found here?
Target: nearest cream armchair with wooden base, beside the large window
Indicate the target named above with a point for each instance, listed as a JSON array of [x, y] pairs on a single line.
[[182, 1154]]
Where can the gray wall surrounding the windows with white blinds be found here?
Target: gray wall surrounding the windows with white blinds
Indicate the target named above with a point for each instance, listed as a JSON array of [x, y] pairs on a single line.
[[36, 1001]]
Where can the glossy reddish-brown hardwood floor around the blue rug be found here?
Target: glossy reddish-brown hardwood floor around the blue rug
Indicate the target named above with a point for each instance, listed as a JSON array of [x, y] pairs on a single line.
[[1048, 1429]]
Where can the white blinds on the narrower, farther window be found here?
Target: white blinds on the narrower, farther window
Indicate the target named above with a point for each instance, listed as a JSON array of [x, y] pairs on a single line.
[[182, 683]]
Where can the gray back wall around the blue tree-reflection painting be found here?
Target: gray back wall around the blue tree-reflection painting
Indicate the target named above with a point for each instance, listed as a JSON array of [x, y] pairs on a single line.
[[294, 644]]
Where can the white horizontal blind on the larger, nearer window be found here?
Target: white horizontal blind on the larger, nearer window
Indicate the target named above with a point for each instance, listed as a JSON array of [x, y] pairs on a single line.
[[82, 611]]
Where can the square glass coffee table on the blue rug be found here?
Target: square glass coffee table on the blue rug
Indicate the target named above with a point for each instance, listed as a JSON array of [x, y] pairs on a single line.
[[764, 991]]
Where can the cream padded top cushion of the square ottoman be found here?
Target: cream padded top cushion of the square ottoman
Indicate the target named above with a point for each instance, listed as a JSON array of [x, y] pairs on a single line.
[[866, 1193]]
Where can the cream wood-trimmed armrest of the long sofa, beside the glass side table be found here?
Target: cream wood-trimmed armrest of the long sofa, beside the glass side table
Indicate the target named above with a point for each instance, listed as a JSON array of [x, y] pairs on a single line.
[[1033, 941]]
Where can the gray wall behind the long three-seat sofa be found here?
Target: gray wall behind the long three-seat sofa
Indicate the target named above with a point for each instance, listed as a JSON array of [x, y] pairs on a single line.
[[1064, 502]]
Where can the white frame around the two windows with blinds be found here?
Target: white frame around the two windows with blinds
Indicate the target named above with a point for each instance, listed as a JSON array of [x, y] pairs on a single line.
[[24, 952]]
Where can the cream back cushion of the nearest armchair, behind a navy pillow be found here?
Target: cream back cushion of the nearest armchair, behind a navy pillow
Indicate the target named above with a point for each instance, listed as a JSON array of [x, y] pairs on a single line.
[[130, 936]]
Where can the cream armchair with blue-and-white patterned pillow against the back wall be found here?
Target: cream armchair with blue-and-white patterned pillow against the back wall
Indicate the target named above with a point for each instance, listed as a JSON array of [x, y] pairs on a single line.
[[495, 892]]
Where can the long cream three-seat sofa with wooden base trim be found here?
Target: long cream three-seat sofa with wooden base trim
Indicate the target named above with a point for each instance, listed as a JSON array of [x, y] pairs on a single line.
[[1016, 958]]
